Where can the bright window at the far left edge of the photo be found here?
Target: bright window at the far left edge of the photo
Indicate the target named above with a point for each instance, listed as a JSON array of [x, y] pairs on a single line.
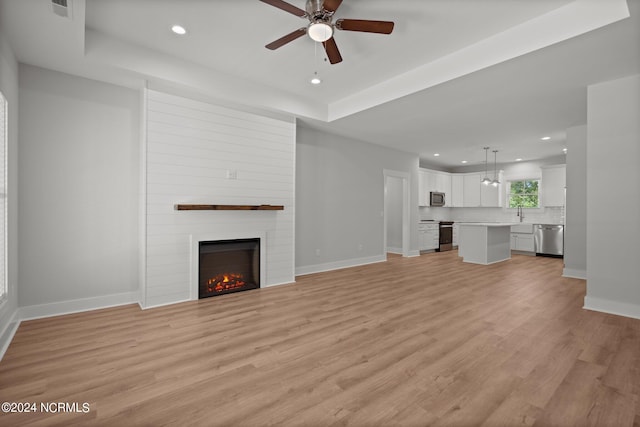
[[3, 197]]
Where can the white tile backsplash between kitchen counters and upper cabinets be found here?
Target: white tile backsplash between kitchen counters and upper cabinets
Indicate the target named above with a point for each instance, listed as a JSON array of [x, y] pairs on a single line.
[[554, 215]]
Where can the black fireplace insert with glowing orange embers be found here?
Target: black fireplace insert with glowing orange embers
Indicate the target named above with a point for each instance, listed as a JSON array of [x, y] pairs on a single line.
[[227, 266]]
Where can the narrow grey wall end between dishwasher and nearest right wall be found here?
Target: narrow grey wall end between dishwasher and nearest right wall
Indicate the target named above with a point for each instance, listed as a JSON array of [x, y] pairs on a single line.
[[575, 232]]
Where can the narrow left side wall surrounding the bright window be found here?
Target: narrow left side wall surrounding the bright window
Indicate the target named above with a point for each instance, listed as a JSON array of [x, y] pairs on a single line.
[[9, 88]]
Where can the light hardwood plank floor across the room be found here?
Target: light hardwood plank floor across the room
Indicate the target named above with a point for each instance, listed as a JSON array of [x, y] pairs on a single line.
[[410, 342]]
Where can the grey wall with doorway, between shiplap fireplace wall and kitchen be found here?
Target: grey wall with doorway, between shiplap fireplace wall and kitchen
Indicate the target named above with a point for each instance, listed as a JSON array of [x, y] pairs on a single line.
[[340, 200]]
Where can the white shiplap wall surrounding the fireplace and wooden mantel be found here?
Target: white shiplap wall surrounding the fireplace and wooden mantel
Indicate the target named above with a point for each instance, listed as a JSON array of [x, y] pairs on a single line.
[[189, 148]]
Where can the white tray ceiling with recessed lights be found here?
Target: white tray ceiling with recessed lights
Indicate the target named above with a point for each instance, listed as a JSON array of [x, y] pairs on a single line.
[[453, 77]]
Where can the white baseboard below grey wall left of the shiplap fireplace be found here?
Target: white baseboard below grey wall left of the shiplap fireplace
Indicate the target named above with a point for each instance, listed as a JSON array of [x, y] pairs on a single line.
[[76, 306]]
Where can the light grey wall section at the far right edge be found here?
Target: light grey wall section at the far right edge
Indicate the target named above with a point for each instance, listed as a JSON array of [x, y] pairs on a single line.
[[613, 174]]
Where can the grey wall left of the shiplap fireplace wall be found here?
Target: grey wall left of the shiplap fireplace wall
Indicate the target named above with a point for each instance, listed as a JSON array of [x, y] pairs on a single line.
[[78, 172]]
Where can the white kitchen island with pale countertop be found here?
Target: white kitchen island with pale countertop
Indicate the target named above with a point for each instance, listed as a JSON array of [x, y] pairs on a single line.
[[485, 242]]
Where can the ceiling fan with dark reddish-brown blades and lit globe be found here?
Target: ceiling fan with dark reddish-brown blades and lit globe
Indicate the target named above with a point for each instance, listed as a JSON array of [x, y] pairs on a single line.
[[321, 29]]
